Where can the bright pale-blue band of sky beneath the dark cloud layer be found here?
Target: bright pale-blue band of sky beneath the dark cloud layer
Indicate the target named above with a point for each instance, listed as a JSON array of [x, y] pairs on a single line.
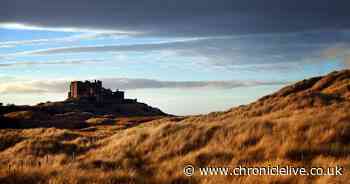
[[278, 59]]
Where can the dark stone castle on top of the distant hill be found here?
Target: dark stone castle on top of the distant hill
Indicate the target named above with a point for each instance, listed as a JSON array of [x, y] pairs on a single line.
[[94, 91]]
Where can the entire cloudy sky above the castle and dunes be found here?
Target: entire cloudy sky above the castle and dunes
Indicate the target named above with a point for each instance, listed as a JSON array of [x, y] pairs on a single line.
[[184, 57]]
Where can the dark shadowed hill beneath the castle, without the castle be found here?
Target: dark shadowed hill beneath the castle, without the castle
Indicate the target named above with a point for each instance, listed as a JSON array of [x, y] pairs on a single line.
[[70, 113]]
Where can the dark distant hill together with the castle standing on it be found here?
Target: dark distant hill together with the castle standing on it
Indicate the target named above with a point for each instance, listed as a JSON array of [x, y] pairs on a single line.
[[85, 100]]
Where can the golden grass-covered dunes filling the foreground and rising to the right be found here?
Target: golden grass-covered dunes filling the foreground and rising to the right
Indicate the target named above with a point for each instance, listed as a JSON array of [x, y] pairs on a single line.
[[306, 124]]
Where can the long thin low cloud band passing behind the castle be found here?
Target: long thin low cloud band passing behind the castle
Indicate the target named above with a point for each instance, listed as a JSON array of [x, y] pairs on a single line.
[[61, 86]]
